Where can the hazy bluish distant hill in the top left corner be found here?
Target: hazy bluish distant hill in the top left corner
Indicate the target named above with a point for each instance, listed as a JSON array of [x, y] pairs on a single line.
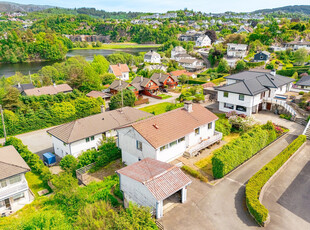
[[14, 7]]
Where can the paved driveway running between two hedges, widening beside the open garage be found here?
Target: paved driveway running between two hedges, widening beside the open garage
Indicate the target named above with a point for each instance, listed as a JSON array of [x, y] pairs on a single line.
[[223, 206]]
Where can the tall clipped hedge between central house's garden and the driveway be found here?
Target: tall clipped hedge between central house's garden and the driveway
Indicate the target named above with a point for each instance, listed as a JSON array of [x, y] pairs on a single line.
[[241, 149]]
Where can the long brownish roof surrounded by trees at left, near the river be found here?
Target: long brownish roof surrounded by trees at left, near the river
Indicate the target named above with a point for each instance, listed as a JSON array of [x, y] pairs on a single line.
[[48, 90]]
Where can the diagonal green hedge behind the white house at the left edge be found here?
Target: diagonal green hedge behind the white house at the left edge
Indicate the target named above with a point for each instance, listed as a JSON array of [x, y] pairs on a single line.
[[33, 160]]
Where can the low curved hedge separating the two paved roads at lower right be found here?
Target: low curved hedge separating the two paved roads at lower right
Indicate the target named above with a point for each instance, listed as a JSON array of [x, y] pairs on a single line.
[[255, 184]]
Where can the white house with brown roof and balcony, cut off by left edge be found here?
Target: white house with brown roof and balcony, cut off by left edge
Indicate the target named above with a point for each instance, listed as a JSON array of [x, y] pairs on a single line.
[[14, 190]]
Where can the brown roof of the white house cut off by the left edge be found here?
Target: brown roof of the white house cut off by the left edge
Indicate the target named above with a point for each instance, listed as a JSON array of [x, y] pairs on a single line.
[[11, 163]]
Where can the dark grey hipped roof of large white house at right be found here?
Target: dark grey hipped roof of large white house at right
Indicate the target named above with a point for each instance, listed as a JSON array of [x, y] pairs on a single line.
[[252, 82]]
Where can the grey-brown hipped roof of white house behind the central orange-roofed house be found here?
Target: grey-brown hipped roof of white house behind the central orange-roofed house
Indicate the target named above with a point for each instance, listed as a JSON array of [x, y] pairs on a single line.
[[96, 124]]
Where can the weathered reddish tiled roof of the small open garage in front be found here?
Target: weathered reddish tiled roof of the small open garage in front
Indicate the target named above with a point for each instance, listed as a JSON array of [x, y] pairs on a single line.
[[161, 179]]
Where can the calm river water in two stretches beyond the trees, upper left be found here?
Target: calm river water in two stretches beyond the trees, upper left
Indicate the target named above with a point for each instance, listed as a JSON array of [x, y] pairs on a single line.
[[8, 70]]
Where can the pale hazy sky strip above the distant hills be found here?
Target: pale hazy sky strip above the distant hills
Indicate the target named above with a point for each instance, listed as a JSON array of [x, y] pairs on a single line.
[[164, 5]]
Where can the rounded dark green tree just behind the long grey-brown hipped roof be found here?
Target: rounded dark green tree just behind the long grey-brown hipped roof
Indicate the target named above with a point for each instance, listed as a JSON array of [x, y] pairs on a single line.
[[129, 99]]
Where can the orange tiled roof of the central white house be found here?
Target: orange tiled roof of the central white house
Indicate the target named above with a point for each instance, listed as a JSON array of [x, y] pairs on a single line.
[[167, 127]]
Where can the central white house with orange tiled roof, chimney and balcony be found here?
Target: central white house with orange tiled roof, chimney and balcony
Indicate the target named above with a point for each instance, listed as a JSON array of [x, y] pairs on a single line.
[[168, 136]]
